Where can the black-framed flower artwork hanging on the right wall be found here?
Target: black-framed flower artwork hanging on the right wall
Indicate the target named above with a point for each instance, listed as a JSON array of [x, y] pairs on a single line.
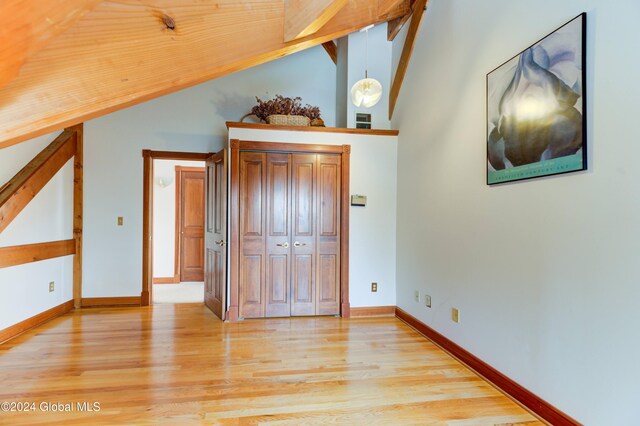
[[536, 124]]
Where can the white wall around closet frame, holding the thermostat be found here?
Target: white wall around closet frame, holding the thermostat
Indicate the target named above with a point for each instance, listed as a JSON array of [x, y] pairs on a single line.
[[372, 234]]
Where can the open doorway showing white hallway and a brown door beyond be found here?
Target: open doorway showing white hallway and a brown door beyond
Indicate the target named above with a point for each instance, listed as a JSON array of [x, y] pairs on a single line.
[[178, 231]]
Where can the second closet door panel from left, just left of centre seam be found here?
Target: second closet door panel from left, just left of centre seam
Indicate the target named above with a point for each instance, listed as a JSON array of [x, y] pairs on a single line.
[[278, 240]]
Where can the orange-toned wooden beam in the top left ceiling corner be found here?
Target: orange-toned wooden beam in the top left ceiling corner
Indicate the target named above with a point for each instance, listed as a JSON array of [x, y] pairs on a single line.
[[28, 25]]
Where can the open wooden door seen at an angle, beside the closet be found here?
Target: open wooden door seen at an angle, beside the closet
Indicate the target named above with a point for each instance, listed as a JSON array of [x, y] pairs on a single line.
[[215, 288]]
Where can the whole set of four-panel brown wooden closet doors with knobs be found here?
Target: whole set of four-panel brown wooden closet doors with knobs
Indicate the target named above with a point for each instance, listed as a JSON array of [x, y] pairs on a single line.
[[289, 234]]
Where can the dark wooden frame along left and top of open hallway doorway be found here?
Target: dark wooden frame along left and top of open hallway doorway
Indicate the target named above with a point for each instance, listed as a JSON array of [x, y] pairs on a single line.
[[147, 212]]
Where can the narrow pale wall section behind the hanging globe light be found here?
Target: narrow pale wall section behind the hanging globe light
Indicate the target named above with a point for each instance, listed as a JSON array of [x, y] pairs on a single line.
[[378, 64]]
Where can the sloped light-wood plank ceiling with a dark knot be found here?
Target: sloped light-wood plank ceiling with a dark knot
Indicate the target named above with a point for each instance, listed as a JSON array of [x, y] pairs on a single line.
[[62, 65]]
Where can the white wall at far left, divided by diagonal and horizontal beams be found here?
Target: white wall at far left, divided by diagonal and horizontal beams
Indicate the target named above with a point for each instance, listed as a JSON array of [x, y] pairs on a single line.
[[24, 289]]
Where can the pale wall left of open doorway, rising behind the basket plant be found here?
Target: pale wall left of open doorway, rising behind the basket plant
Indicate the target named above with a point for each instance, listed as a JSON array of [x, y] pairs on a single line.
[[190, 120]]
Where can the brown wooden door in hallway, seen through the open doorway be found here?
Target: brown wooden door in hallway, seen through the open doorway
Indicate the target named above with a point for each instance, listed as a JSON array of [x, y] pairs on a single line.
[[191, 224]]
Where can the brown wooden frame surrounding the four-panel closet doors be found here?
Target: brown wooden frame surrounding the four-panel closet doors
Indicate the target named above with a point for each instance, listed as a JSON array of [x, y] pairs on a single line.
[[236, 147]]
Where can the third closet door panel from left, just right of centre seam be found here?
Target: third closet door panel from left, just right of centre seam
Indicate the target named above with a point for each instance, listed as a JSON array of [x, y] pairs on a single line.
[[304, 259]]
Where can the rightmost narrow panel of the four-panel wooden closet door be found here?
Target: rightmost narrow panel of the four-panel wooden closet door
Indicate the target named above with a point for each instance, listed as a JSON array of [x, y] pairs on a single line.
[[328, 229]]
